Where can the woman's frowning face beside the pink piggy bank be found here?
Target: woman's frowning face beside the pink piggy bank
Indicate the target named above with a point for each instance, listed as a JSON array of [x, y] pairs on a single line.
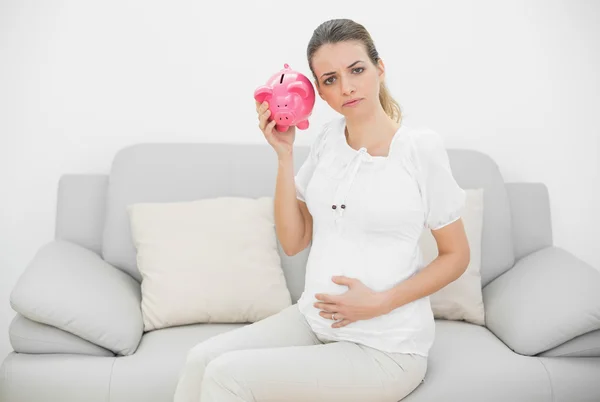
[[345, 73]]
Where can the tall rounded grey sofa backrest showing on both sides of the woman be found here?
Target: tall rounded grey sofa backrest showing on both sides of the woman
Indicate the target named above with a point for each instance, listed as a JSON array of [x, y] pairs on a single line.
[[168, 172]]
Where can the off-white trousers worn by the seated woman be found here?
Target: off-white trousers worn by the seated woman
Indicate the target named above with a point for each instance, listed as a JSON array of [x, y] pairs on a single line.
[[280, 359]]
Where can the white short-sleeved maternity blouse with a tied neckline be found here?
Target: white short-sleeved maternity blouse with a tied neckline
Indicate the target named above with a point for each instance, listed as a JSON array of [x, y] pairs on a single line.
[[368, 216]]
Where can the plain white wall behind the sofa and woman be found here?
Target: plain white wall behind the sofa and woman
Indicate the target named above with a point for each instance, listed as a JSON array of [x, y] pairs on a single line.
[[80, 80]]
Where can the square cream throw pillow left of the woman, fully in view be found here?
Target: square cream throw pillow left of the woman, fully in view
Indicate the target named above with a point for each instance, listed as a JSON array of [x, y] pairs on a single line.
[[208, 261]]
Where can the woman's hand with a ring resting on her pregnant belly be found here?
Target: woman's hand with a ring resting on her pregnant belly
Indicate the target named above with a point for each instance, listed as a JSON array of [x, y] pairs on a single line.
[[358, 303]]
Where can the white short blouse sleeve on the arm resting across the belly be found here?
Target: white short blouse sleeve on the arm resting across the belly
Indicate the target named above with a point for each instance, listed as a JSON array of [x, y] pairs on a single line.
[[443, 198]]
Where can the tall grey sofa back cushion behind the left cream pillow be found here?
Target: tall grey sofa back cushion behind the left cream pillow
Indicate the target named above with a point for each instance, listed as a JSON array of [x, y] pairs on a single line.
[[184, 172]]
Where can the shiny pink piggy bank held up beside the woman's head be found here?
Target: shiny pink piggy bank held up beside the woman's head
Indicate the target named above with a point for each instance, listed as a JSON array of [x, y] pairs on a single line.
[[291, 98]]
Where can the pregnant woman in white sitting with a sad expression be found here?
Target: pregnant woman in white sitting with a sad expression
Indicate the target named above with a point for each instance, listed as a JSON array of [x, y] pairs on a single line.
[[362, 329]]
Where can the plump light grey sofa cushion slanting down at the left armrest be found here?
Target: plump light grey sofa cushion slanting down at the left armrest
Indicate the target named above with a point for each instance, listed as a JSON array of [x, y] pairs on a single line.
[[72, 288]]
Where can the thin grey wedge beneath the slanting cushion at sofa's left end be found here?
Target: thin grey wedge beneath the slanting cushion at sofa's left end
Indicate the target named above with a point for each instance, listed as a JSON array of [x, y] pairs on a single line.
[[28, 336]]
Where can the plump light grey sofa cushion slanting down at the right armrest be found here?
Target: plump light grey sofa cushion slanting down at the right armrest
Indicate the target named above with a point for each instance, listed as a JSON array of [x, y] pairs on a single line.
[[549, 297]]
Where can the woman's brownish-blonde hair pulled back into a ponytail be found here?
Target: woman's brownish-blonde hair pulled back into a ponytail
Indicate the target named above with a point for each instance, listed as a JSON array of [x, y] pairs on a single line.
[[340, 30]]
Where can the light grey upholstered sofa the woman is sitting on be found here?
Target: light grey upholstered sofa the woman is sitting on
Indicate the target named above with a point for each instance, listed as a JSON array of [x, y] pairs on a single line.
[[78, 335]]
